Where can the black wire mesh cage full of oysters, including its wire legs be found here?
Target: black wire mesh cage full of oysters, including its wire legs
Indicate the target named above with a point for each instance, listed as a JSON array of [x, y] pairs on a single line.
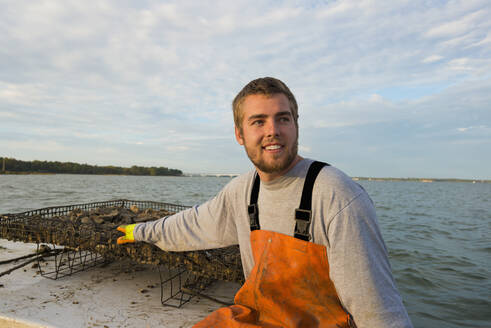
[[87, 233]]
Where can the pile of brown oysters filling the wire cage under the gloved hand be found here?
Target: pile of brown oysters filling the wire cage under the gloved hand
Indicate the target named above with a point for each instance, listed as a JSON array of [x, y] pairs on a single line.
[[95, 230]]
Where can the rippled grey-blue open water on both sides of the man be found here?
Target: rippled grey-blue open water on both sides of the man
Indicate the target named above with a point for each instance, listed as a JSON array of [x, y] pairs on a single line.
[[438, 234]]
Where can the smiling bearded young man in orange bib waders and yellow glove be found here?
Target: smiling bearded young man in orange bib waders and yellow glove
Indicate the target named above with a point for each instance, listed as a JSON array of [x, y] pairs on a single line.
[[311, 249]]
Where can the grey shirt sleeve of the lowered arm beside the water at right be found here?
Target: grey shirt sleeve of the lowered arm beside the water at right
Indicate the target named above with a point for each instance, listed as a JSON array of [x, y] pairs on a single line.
[[360, 269]]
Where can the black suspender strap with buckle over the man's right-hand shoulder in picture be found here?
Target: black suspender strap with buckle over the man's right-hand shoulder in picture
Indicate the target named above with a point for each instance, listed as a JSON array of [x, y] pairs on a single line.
[[303, 214]]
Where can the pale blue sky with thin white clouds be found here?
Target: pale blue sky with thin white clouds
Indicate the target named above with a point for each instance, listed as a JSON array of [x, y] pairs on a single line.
[[385, 88]]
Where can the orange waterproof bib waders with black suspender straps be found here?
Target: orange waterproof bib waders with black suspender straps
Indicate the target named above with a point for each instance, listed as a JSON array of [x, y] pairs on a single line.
[[289, 285]]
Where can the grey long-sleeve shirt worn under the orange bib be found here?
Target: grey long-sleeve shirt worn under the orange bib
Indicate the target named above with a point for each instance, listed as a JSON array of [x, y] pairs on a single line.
[[344, 221]]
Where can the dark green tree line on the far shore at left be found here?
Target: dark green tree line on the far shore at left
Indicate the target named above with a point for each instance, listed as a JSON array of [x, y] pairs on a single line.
[[12, 165]]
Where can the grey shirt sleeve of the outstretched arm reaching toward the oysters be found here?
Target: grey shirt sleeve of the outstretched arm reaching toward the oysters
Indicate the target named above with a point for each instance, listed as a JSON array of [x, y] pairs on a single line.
[[206, 226]]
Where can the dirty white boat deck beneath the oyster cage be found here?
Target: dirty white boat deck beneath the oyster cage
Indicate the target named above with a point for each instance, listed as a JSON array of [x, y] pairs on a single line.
[[109, 296]]
